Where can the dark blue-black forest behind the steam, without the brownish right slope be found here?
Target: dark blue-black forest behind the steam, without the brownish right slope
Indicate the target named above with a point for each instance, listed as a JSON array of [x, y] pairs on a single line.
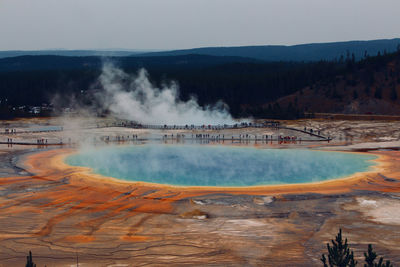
[[246, 85]]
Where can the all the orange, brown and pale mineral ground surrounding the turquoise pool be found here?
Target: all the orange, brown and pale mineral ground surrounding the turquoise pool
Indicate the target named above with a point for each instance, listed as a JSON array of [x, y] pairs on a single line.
[[62, 213]]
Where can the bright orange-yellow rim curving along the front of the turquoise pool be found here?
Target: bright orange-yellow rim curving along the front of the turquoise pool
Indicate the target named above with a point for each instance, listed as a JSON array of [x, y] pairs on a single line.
[[55, 168]]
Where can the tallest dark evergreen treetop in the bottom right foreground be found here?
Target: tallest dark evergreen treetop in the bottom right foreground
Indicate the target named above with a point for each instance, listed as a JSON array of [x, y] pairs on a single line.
[[339, 254]]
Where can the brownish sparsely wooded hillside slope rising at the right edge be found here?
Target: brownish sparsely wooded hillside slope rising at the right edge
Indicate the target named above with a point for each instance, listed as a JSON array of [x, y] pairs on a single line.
[[369, 87]]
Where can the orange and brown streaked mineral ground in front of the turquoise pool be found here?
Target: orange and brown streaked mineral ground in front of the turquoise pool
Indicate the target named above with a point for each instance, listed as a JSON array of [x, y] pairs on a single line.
[[62, 210]]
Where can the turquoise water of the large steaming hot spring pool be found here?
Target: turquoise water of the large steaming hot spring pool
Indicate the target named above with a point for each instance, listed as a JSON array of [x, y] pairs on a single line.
[[202, 165]]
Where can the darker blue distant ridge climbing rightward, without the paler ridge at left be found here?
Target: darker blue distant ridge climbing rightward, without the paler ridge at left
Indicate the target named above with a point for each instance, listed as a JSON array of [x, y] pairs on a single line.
[[302, 52]]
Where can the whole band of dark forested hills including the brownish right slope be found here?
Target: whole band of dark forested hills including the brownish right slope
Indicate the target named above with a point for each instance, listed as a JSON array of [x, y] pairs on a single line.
[[282, 90]]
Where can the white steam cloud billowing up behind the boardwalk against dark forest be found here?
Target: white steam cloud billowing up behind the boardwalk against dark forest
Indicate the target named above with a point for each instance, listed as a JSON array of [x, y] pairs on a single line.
[[135, 98]]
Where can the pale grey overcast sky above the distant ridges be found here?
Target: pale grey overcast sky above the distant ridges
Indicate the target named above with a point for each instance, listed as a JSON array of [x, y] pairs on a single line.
[[174, 24]]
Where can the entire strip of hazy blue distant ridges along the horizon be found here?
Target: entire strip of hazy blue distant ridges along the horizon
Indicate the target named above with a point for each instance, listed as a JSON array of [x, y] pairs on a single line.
[[296, 53]]
